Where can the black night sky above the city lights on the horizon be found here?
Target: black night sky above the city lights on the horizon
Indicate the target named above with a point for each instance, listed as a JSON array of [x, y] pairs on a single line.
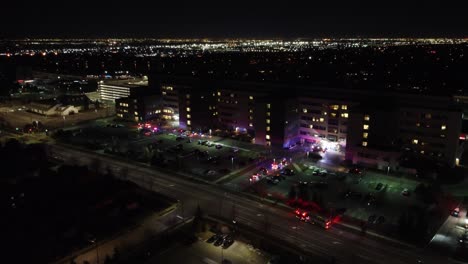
[[228, 19]]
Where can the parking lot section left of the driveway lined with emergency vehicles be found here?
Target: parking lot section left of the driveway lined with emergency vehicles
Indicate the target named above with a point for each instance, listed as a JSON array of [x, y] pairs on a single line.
[[208, 158]]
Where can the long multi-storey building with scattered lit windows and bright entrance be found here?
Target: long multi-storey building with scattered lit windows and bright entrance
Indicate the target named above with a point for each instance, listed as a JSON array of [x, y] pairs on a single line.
[[372, 128]]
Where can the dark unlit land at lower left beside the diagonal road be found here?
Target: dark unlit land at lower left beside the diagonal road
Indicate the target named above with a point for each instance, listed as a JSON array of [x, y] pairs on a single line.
[[49, 213]]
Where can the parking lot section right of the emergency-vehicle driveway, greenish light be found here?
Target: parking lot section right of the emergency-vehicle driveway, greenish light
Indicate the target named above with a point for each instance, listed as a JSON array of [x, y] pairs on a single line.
[[369, 198]]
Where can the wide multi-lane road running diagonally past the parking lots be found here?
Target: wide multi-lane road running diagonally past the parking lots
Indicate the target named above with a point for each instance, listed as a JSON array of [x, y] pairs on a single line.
[[345, 246]]
